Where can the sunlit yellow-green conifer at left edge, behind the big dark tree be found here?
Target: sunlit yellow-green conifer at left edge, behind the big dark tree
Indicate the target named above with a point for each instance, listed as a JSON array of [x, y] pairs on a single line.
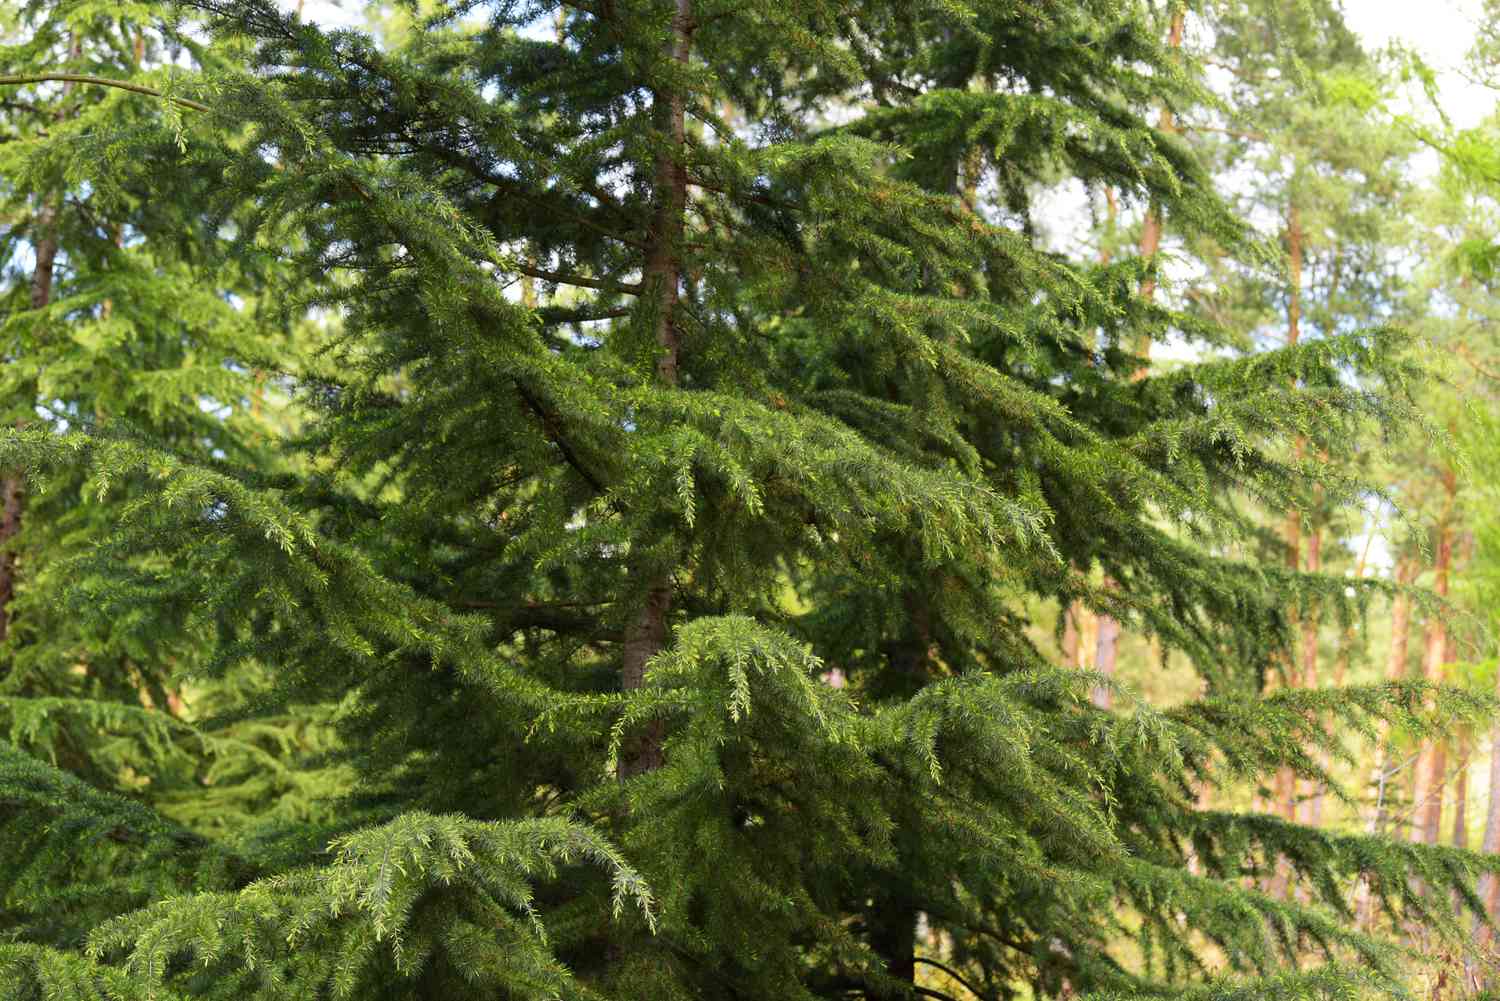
[[118, 326]]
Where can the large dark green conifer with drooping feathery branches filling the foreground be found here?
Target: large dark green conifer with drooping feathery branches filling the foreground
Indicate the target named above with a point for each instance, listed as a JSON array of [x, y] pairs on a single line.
[[668, 358]]
